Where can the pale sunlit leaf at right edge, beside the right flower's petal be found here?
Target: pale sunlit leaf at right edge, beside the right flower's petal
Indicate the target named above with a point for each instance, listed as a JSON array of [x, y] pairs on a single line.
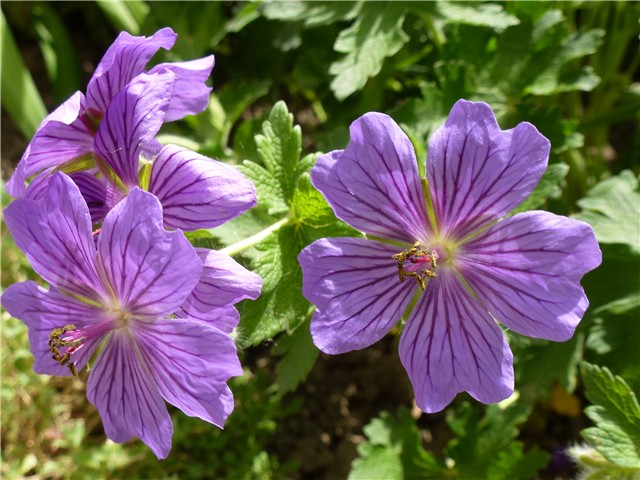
[[612, 208]]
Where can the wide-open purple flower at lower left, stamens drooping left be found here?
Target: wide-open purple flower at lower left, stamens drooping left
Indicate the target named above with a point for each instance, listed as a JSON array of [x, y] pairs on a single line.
[[132, 296]]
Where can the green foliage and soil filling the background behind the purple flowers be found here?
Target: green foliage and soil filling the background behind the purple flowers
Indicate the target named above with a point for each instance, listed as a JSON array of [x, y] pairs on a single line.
[[289, 79]]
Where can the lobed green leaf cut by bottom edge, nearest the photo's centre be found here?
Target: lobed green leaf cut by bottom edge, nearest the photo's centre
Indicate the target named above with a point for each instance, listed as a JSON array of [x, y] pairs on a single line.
[[394, 451]]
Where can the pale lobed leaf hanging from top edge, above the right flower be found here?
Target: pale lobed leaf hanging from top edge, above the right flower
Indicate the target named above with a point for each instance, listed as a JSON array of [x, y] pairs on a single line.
[[375, 35]]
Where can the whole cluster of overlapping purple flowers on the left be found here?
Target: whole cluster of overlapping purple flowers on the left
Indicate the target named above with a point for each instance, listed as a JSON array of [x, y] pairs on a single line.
[[125, 285]]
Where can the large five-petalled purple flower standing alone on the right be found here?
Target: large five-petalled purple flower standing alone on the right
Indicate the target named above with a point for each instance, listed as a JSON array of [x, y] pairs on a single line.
[[457, 251]]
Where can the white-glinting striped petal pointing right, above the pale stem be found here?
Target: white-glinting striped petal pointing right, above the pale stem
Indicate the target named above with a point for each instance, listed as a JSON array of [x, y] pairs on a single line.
[[196, 191]]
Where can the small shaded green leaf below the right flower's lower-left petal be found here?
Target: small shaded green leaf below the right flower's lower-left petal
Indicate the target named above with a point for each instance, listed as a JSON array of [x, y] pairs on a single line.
[[298, 354]]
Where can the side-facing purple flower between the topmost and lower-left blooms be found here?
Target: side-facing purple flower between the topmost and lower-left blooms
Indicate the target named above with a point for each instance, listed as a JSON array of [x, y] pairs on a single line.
[[195, 191]]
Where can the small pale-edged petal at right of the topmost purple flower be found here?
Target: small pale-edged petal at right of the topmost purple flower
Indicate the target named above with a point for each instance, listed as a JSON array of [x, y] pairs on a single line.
[[191, 94]]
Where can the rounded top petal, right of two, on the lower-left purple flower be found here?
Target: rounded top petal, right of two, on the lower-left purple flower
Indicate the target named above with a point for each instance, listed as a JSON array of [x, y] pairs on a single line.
[[151, 270]]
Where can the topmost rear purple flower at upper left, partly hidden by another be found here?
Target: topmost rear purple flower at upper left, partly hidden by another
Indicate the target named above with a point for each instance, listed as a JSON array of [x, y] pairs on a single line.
[[67, 134]]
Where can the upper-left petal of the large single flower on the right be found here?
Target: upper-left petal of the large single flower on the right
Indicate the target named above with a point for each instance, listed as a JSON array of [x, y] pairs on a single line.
[[373, 184]]
